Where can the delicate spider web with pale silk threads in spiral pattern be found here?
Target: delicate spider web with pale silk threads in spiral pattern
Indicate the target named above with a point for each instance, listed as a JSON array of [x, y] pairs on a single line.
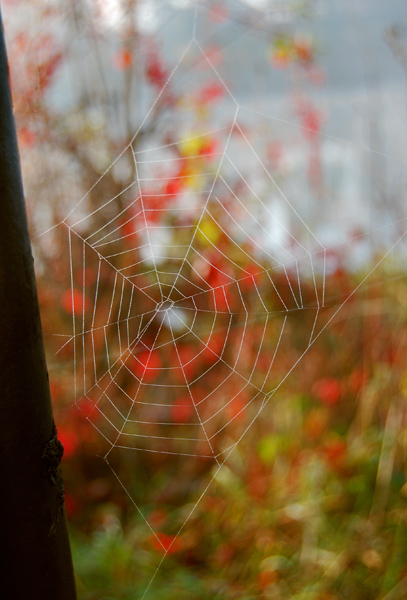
[[205, 283]]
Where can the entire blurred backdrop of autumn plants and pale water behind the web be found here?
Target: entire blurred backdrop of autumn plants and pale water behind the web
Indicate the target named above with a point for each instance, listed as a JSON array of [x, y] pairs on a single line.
[[217, 201]]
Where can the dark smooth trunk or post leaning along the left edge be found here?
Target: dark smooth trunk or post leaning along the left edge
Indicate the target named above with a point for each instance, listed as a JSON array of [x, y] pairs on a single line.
[[36, 561]]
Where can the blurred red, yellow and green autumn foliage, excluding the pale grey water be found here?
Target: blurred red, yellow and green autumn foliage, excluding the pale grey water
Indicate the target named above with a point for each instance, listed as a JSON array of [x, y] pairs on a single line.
[[311, 500]]
